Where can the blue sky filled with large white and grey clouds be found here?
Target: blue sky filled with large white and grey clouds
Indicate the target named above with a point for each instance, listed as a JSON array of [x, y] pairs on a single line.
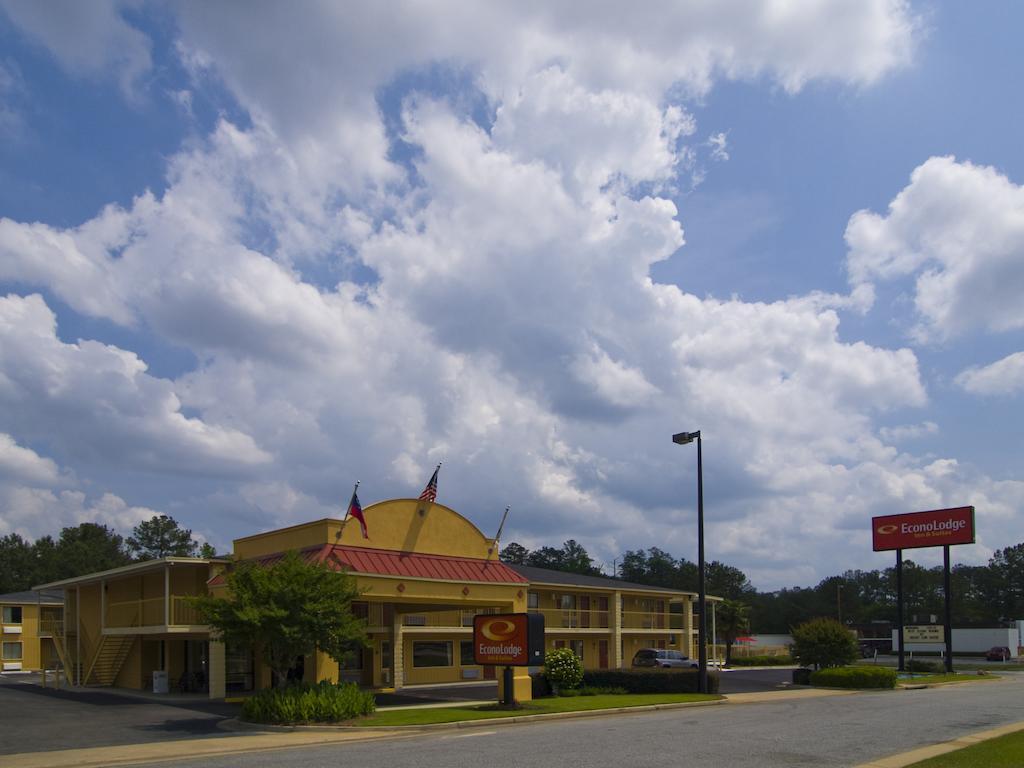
[[251, 253]]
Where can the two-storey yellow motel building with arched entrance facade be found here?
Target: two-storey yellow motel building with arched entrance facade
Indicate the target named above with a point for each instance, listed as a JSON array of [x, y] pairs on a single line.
[[423, 574]]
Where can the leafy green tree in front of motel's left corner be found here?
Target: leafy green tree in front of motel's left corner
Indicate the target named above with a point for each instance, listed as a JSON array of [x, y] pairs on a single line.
[[286, 611]]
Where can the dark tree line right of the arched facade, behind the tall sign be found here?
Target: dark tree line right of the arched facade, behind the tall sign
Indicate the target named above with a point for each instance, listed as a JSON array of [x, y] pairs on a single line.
[[982, 594]]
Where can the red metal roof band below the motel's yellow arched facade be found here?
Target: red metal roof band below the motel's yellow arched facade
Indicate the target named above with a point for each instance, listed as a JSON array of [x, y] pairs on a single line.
[[404, 565]]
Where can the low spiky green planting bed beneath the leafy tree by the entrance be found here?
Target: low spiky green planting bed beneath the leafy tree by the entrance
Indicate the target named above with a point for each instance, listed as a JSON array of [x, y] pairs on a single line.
[[306, 703]]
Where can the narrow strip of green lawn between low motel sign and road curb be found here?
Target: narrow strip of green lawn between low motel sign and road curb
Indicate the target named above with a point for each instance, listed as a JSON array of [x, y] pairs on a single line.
[[537, 707]]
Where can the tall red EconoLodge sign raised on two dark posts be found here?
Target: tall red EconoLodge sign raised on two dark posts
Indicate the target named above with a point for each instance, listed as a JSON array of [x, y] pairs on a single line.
[[937, 528]]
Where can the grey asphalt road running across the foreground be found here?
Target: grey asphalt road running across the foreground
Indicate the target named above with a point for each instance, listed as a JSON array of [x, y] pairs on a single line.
[[831, 733]]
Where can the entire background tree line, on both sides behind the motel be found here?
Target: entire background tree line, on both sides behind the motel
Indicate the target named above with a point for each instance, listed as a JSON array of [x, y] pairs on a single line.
[[983, 594]]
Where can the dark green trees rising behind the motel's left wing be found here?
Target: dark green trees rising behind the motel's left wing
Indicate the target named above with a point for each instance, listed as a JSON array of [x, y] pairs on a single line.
[[89, 548]]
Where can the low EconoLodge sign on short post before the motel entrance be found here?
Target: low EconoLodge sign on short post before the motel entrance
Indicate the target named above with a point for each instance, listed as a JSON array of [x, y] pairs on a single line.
[[508, 641]]
